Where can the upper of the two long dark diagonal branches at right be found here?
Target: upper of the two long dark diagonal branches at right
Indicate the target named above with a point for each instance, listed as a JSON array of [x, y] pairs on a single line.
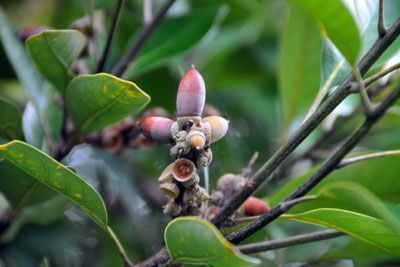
[[307, 127]]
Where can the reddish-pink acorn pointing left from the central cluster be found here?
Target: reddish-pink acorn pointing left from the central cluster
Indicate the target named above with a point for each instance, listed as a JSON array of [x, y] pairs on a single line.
[[156, 128]]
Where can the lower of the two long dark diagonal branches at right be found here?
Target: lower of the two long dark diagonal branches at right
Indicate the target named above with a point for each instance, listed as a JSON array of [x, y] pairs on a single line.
[[329, 166]]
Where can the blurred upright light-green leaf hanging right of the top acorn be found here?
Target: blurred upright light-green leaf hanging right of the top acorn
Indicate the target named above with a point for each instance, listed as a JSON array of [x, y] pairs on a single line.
[[300, 63]]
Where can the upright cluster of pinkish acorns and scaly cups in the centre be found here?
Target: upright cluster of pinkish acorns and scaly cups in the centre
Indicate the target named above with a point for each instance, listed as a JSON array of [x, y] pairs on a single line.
[[190, 137]]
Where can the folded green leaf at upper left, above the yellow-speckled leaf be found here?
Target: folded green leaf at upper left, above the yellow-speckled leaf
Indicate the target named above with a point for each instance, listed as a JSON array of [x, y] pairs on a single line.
[[53, 52]]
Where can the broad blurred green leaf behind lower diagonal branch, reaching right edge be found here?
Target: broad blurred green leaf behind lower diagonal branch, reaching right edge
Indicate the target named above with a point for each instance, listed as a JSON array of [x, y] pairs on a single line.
[[368, 173]]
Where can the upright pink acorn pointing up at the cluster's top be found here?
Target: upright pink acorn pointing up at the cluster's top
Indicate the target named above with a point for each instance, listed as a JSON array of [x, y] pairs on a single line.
[[191, 94]]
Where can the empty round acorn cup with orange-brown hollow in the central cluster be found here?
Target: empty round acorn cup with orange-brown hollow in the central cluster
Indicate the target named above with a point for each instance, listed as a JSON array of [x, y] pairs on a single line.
[[184, 171]]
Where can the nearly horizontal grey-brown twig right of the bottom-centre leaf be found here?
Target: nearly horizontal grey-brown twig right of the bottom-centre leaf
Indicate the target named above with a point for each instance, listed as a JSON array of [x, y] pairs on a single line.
[[290, 241]]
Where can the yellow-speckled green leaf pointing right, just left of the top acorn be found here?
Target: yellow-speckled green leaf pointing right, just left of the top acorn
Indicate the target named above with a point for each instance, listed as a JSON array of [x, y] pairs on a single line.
[[106, 98]]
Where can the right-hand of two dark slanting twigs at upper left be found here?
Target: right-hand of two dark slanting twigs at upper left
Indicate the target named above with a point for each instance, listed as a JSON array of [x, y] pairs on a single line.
[[131, 54]]
